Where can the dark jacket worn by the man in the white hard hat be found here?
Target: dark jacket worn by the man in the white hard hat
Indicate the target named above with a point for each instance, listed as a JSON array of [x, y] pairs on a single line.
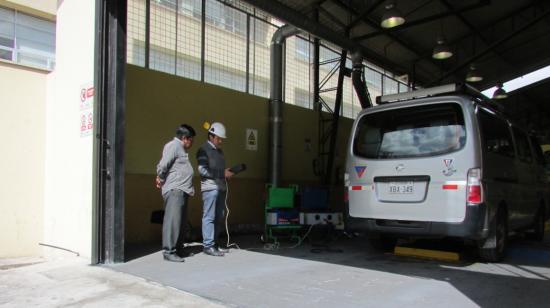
[[211, 167]]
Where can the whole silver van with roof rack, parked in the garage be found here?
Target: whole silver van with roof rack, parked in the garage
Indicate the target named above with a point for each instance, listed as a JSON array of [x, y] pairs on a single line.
[[442, 162]]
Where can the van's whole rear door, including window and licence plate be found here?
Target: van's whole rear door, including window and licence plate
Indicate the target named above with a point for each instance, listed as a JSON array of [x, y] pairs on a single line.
[[410, 163]]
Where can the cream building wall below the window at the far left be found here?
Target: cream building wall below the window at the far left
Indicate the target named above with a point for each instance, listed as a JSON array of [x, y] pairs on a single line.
[[23, 123]]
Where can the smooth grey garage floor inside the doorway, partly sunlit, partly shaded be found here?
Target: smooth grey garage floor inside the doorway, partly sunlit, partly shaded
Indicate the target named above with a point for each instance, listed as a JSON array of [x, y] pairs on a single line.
[[352, 274]]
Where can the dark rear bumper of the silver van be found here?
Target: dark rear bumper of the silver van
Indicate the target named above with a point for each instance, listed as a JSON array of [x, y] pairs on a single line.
[[472, 227]]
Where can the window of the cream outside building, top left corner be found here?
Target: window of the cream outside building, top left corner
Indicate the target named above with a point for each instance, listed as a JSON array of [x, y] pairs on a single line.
[[27, 40]]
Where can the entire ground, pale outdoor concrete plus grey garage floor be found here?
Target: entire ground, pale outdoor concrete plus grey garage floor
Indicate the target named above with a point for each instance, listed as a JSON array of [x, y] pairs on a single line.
[[346, 273]]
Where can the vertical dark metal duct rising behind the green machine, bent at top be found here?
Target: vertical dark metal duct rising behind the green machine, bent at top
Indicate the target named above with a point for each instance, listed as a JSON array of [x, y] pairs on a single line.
[[276, 101]]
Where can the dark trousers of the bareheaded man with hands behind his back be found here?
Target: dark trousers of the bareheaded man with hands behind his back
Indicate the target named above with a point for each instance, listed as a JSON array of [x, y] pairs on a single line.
[[175, 217]]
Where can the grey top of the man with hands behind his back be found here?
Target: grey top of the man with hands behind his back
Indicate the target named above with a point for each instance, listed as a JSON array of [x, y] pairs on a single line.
[[174, 169]]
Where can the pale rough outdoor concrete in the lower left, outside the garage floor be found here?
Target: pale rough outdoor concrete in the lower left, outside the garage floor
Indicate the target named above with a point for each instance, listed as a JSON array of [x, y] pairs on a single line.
[[71, 282]]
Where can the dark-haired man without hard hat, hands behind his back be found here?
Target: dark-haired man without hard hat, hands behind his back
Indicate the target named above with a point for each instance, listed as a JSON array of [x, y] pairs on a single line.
[[174, 177]]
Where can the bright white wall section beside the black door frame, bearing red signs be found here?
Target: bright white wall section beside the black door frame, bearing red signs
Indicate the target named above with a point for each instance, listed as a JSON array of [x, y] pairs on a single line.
[[69, 156]]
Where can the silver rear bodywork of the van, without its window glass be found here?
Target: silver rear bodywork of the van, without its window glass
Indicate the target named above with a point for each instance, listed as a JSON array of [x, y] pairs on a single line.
[[435, 186]]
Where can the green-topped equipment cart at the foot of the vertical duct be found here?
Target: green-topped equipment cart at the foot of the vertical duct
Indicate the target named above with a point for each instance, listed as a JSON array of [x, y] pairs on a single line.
[[280, 214]]
